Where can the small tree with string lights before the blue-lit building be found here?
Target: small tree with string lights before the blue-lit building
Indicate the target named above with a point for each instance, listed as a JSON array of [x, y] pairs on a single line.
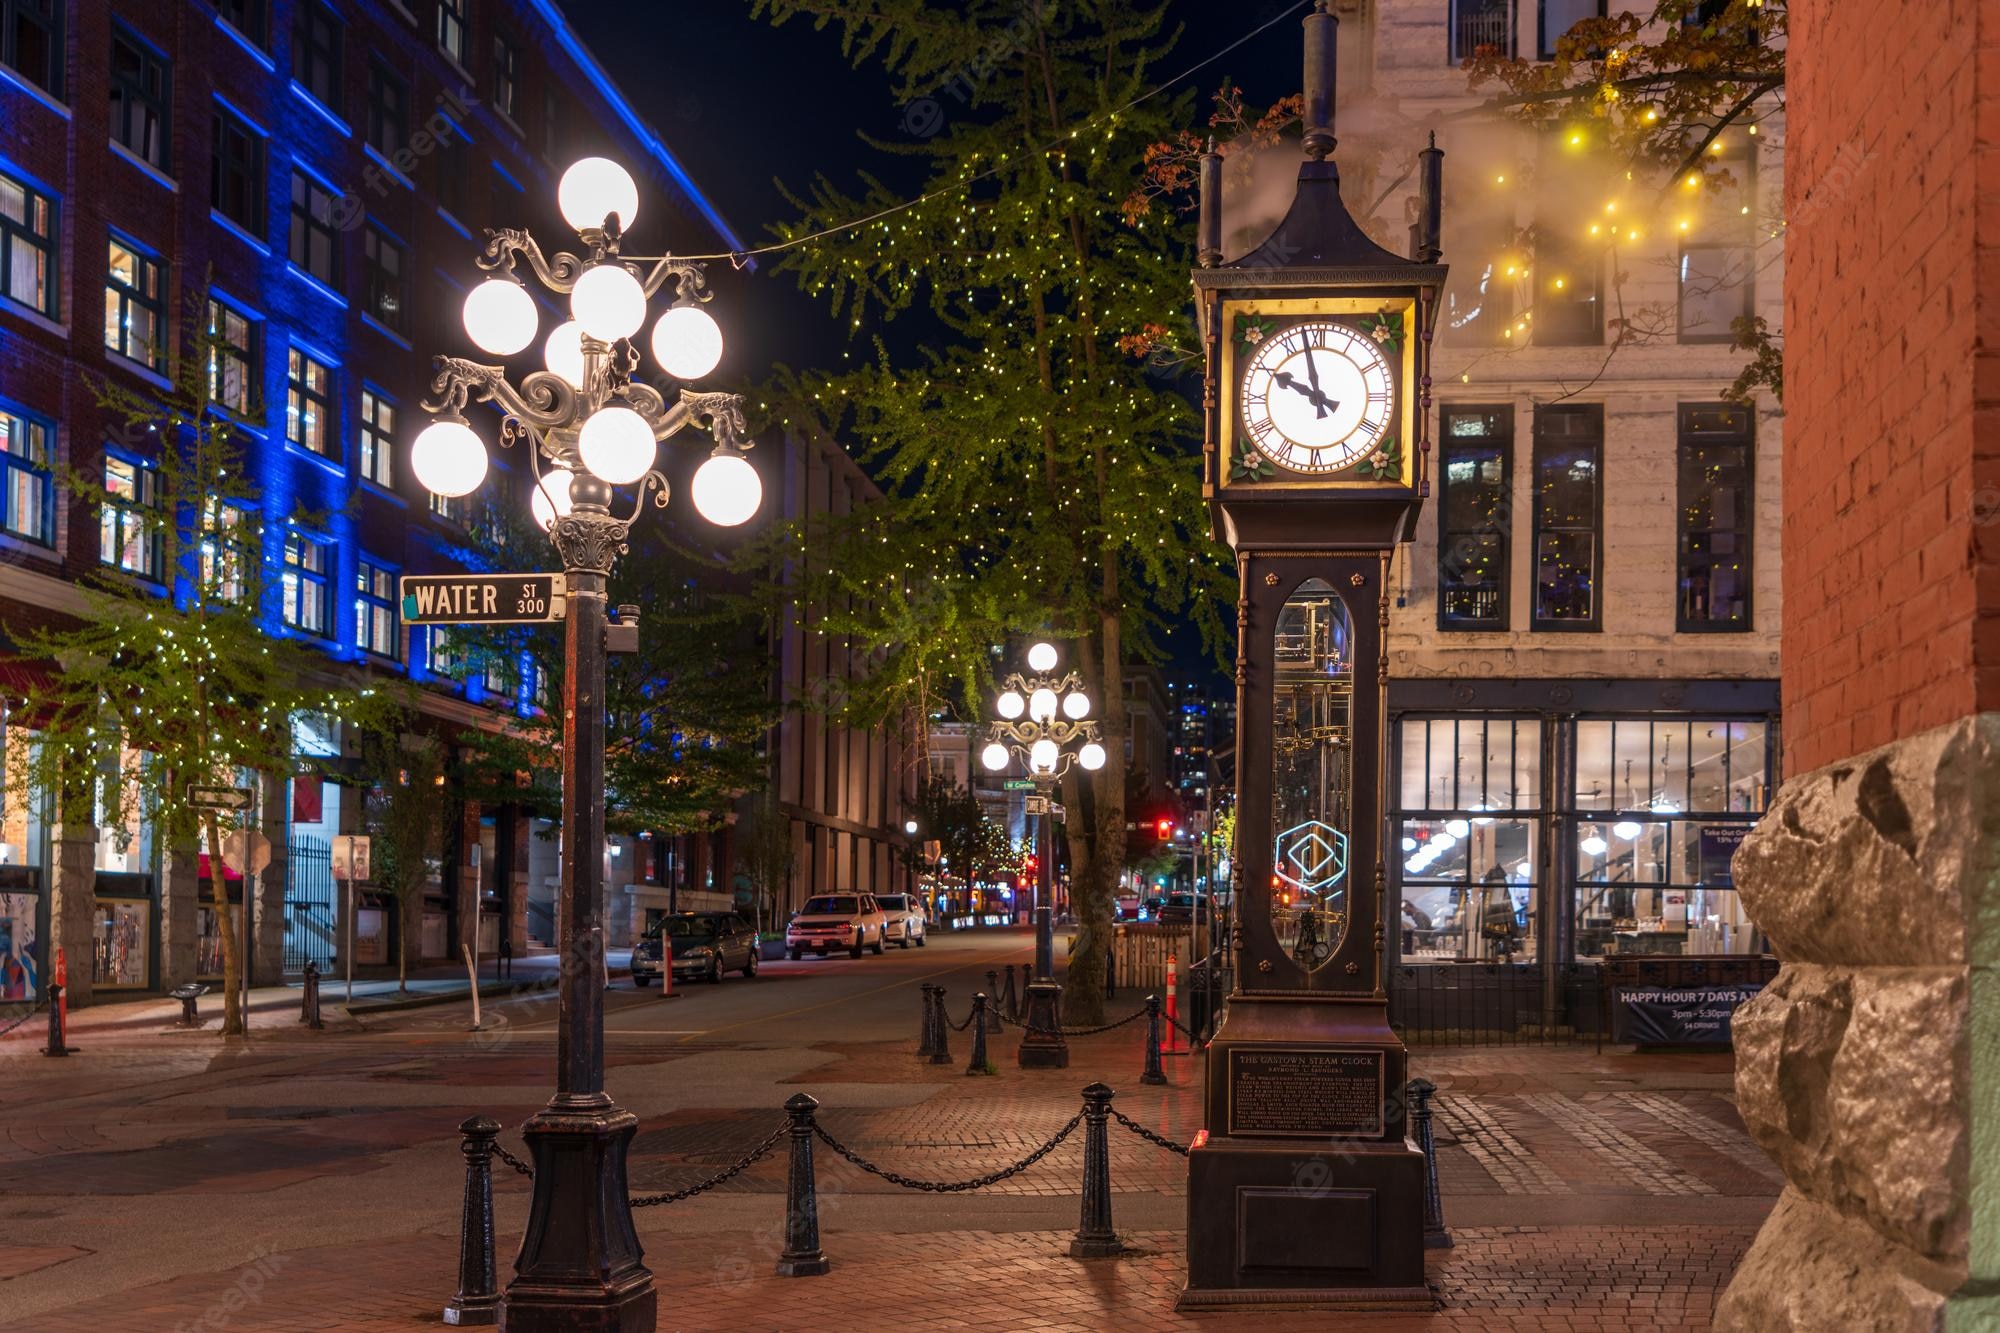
[[175, 678]]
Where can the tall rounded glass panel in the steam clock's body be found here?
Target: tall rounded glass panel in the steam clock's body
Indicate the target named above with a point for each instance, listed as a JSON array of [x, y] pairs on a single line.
[[1313, 780]]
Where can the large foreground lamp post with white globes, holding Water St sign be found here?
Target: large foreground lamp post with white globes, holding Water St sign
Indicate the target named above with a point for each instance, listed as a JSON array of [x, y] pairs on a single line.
[[591, 429]]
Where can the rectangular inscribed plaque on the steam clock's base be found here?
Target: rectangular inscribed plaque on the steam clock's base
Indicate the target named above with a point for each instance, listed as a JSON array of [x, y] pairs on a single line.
[[1305, 1092]]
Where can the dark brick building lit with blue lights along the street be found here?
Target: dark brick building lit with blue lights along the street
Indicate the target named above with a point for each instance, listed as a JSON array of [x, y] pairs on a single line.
[[303, 179]]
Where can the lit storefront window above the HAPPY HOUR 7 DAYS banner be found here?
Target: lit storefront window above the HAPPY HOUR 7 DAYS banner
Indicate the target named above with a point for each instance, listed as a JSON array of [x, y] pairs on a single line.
[[1661, 808]]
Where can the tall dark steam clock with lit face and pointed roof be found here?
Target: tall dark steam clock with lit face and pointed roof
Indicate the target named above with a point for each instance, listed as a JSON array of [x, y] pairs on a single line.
[[1305, 1188]]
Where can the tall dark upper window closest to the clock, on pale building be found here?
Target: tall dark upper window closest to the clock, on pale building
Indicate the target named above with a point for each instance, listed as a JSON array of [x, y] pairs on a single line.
[[1475, 517]]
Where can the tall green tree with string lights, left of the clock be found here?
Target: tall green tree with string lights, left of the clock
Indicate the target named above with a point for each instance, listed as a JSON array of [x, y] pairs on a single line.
[[1041, 479]]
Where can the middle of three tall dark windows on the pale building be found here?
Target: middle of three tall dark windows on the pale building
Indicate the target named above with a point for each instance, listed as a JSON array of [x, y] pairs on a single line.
[[1569, 455]]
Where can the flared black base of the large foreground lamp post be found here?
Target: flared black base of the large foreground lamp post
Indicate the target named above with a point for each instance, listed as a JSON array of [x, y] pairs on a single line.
[[579, 1268]]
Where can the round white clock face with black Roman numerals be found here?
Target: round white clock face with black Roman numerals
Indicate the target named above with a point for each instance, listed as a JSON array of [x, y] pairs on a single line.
[[1317, 397]]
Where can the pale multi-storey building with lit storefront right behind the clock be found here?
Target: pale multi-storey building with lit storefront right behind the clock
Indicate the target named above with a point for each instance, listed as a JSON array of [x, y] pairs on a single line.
[[1585, 631]]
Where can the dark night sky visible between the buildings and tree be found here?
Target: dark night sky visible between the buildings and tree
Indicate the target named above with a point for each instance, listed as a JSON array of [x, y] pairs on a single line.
[[747, 107]]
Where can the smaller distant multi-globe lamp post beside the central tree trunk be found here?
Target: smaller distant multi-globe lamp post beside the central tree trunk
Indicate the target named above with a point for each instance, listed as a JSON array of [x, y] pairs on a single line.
[[1045, 722]]
